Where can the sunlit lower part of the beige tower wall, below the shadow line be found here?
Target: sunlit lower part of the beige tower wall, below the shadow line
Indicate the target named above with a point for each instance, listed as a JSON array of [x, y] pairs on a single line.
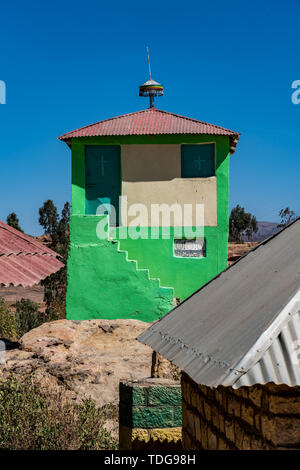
[[180, 191]]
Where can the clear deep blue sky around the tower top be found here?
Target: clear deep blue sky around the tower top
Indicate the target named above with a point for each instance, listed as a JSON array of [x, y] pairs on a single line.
[[67, 64]]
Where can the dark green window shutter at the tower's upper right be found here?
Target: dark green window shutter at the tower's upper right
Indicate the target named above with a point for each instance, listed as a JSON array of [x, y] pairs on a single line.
[[197, 161]]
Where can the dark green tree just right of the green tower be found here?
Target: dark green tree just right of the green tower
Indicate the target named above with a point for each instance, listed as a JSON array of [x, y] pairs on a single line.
[[241, 222]]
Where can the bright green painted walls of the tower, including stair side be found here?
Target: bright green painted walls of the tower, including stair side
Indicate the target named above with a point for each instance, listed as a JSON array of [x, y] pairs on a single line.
[[99, 282]]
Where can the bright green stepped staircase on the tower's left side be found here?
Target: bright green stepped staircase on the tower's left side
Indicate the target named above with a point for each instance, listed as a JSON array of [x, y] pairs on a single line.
[[103, 283]]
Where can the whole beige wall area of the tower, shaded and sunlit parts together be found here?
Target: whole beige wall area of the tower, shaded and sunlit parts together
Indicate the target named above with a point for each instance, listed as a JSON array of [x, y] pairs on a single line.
[[151, 175]]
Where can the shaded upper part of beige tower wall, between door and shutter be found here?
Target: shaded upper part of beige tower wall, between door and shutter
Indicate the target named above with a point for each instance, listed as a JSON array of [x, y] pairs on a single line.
[[150, 162]]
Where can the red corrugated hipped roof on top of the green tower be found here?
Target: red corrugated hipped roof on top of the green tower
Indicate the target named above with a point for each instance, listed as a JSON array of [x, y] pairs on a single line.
[[150, 121]]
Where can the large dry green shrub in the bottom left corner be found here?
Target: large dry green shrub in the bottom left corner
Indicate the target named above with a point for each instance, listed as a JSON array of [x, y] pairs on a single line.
[[30, 419]]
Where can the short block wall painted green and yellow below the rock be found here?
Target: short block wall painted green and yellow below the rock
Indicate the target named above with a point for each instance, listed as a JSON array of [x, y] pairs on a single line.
[[150, 415]]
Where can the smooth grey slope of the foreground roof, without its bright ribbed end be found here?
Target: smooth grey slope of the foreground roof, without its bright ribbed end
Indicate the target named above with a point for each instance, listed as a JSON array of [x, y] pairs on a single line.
[[210, 333]]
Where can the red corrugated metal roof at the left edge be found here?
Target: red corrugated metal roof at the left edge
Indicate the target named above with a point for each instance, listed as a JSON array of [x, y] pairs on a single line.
[[23, 260]]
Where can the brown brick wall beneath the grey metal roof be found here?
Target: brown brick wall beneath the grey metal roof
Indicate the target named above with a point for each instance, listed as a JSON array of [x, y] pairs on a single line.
[[257, 417]]
